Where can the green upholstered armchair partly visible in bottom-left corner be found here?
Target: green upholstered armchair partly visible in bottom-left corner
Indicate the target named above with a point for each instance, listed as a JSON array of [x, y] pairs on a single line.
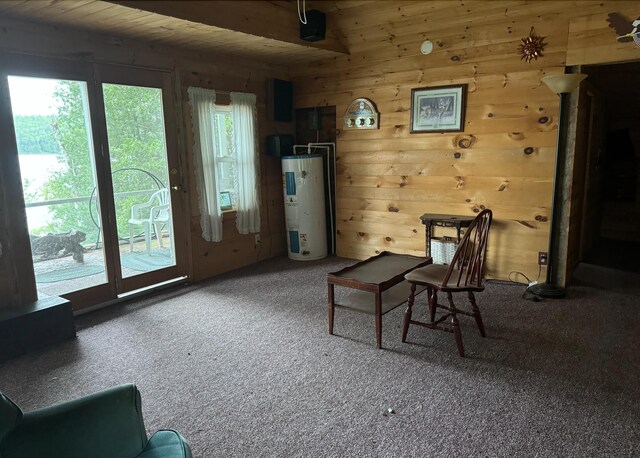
[[107, 424]]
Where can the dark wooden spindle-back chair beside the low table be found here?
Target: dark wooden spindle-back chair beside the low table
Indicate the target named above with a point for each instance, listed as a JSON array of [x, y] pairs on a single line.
[[464, 274]]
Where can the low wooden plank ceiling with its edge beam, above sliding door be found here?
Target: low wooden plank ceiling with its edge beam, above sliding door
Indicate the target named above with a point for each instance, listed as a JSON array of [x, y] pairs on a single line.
[[265, 30]]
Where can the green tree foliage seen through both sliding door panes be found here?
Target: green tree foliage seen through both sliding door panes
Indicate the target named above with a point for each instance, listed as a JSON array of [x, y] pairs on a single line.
[[135, 130]]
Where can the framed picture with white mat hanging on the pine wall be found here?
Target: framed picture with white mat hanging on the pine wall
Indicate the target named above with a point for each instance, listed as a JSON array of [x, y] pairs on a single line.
[[438, 108]]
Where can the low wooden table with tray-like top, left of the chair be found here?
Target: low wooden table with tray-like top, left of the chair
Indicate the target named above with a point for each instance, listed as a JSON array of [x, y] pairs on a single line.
[[379, 283]]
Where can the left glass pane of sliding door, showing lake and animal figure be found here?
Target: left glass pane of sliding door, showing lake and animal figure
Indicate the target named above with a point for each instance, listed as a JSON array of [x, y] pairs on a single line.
[[57, 166]]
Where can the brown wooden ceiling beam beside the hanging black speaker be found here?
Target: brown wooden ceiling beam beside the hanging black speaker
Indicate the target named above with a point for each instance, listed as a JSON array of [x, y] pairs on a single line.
[[272, 20]]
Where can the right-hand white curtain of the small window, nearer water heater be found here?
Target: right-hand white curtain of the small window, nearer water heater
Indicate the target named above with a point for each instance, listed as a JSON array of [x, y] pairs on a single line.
[[243, 112]]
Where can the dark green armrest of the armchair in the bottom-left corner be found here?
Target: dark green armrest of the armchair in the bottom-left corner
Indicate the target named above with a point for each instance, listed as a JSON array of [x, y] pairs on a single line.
[[107, 424]]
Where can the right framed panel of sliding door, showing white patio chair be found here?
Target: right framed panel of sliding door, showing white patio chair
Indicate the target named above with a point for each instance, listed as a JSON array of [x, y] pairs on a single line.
[[144, 178]]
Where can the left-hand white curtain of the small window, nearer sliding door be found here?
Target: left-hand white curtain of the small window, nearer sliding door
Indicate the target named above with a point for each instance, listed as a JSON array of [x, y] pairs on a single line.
[[202, 103]]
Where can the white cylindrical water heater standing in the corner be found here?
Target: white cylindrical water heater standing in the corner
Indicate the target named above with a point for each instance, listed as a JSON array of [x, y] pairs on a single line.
[[304, 208]]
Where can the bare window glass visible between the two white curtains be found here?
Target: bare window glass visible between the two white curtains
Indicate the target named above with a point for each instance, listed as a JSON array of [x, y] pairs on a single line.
[[225, 152]]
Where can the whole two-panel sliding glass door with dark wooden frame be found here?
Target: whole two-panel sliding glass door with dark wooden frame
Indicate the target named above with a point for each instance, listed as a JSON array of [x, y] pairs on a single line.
[[102, 194]]
